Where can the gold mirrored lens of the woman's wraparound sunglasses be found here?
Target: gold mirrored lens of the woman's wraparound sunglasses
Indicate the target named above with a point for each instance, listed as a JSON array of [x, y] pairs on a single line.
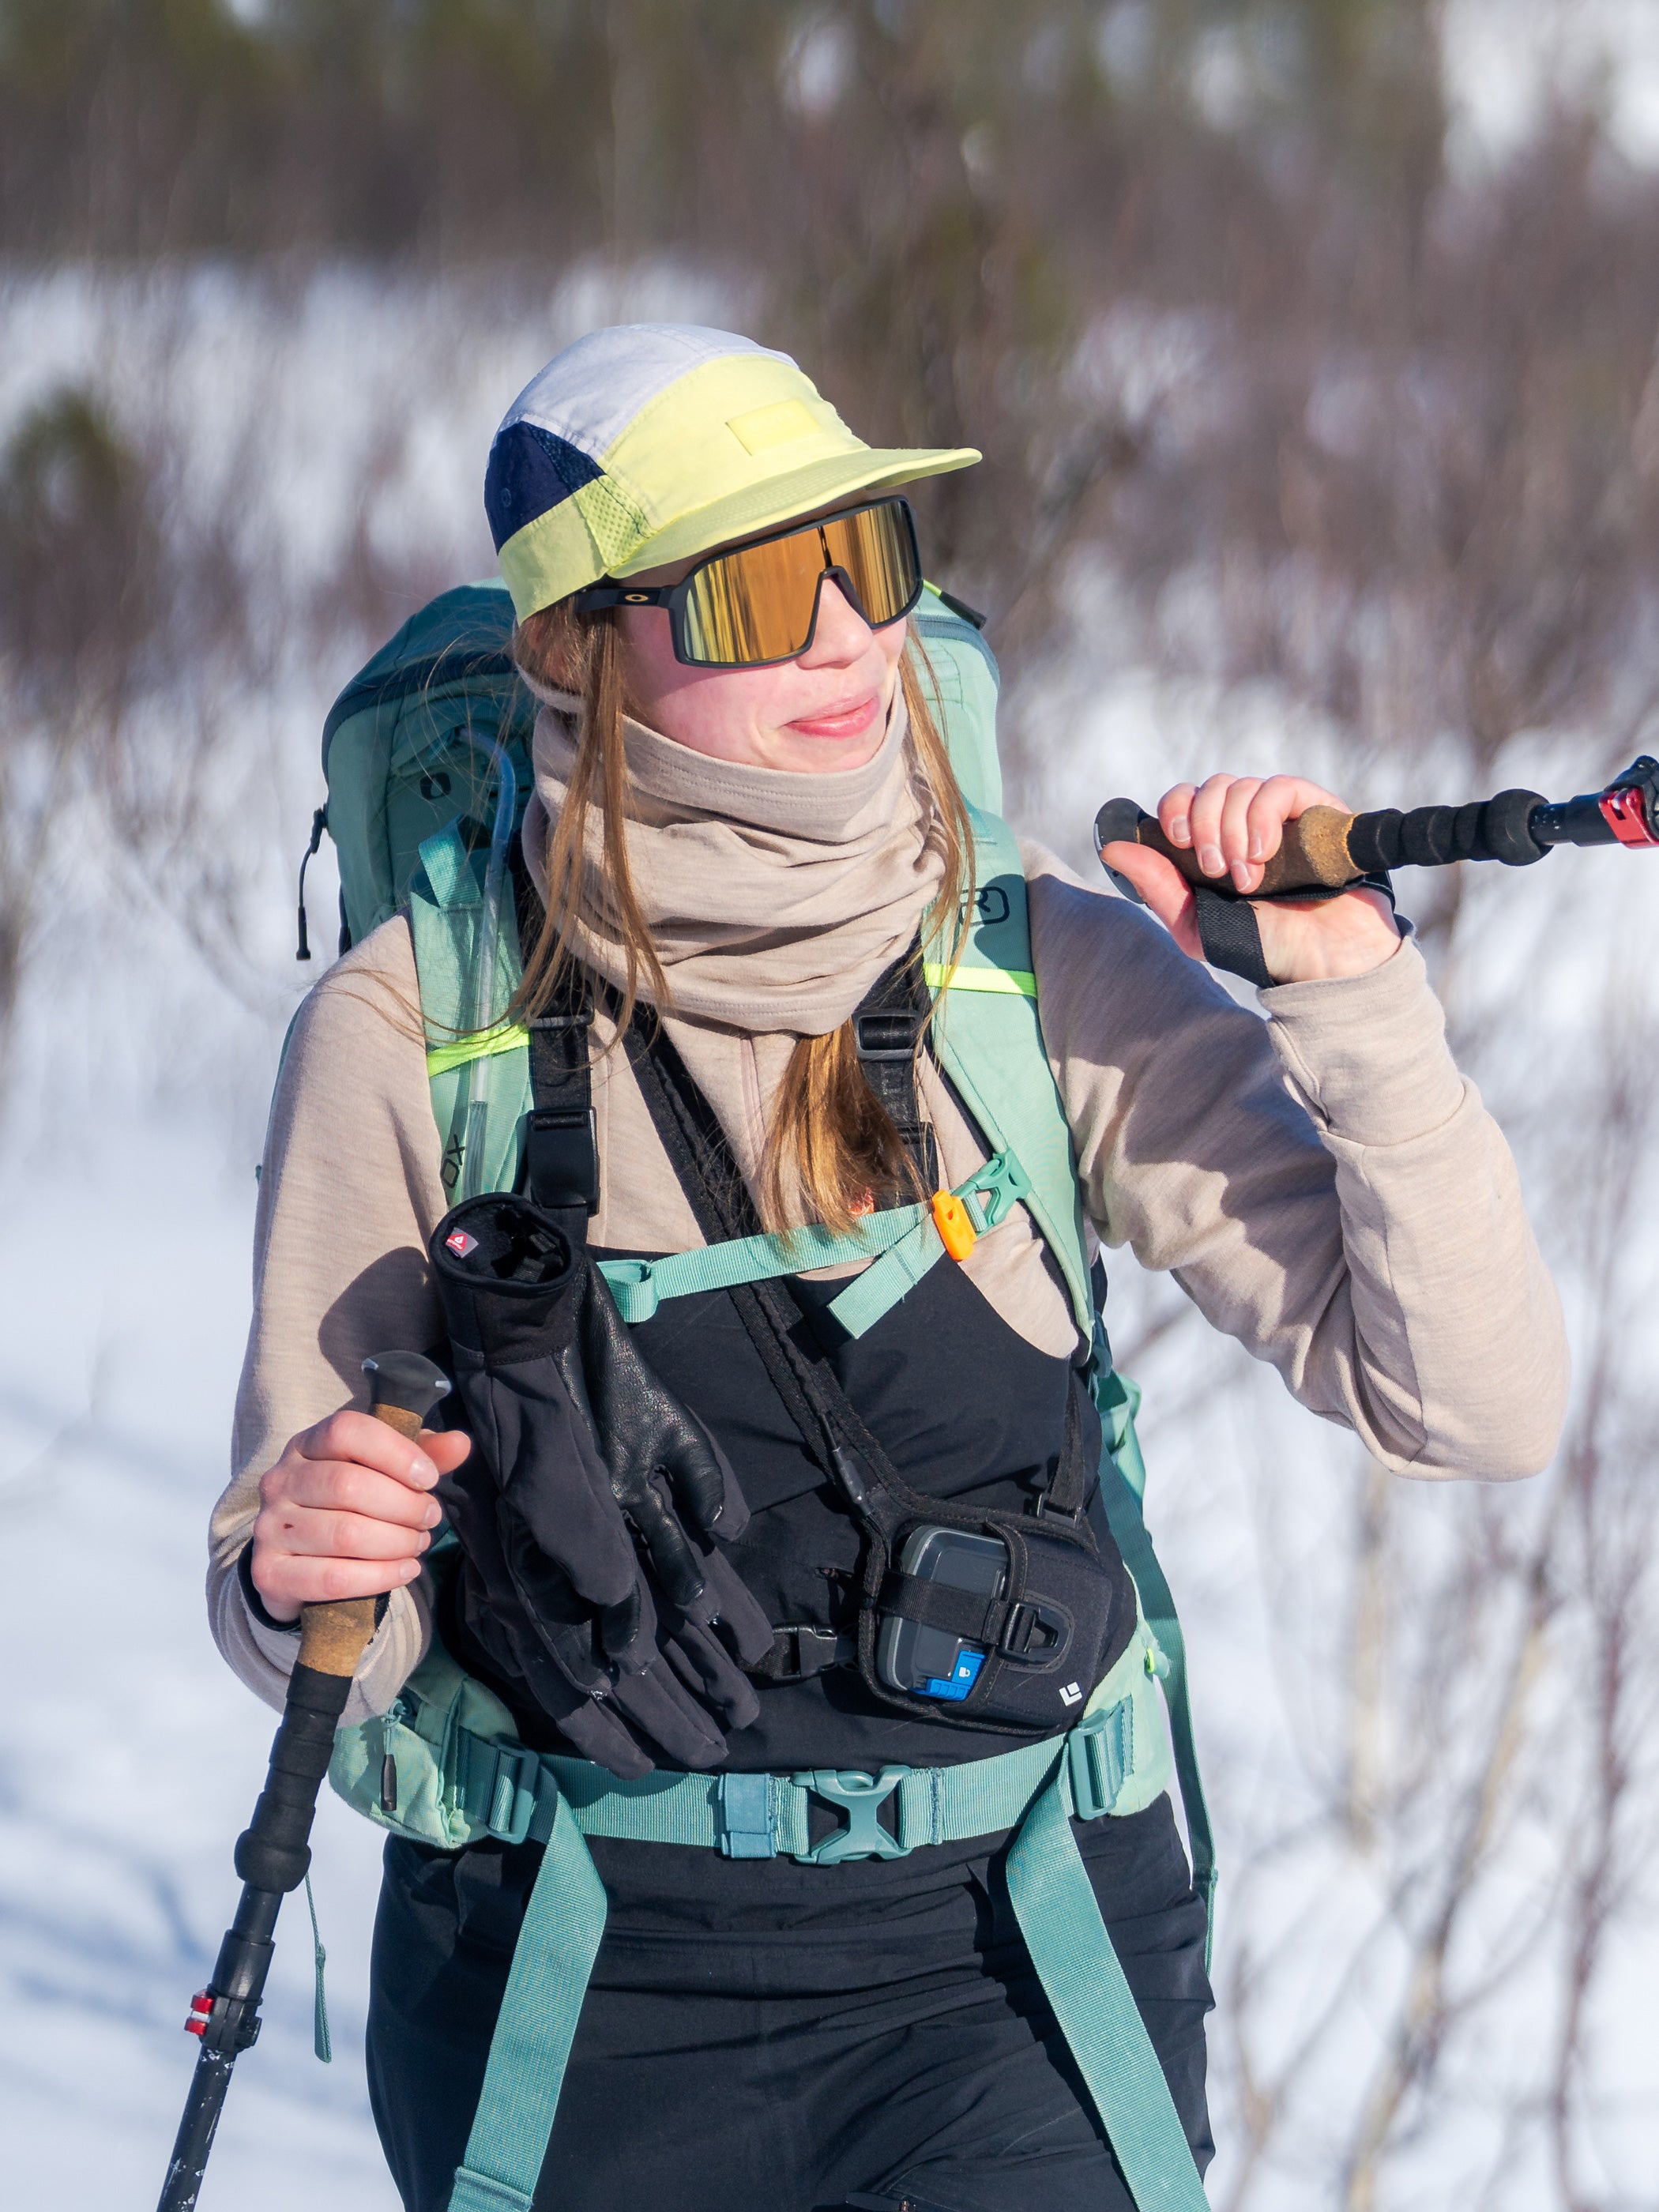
[[755, 605]]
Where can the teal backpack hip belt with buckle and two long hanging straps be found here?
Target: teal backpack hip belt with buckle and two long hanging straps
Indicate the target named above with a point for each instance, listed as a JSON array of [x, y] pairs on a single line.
[[1114, 1762]]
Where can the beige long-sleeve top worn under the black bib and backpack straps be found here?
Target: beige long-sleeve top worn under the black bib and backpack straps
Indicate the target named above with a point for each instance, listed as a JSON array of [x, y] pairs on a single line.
[[1324, 1187]]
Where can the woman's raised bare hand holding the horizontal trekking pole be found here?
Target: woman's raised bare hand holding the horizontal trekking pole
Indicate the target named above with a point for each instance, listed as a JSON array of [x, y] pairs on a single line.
[[1235, 826]]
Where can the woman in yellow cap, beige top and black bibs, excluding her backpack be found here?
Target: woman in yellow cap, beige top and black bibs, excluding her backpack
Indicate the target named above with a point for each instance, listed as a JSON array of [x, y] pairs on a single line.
[[744, 820]]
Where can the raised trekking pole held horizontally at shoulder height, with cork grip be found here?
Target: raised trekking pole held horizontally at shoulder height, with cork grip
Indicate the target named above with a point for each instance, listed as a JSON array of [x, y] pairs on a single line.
[[1328, 848]]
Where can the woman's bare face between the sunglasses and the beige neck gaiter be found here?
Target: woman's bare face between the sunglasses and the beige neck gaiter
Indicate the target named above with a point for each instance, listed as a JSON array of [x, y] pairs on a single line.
[[817, 713]]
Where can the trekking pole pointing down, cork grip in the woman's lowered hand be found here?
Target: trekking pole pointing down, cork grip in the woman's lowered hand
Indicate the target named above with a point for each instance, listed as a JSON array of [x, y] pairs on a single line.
[[273, 1853]]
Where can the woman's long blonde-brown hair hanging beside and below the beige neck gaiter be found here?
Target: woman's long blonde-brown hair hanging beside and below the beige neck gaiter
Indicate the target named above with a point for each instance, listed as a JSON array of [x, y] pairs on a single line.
[[833, 1149]]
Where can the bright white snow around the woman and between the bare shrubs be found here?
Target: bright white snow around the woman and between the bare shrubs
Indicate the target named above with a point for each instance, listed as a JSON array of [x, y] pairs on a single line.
[[129, 1757]]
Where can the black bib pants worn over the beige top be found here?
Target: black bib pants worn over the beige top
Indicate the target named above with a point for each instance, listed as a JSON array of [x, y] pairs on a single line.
[[786, 2038]]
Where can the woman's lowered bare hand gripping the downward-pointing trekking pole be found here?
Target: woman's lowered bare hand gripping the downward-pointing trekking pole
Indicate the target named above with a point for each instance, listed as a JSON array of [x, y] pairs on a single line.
[[348, 1510]]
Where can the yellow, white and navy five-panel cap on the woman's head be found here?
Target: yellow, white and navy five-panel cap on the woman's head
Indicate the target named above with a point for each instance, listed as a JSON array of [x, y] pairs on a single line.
[[654, 441]]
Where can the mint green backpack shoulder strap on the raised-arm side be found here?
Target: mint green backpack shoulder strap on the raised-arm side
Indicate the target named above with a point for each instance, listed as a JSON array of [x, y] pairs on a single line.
[[990, 1043]]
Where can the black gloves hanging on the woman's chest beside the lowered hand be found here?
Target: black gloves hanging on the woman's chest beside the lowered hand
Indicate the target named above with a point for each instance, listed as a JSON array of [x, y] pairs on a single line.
[[583, 1452]]
